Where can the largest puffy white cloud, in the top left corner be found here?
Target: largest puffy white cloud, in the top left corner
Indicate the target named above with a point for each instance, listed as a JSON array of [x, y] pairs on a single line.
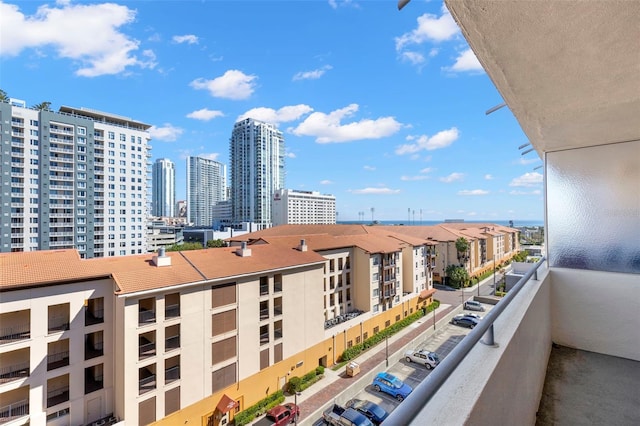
[[65, 28]]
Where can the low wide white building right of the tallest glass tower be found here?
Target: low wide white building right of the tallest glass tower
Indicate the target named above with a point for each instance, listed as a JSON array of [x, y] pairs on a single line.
[[293, 207]]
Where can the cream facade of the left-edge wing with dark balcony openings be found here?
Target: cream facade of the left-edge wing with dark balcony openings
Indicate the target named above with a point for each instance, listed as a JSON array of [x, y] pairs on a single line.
[[46, 310]]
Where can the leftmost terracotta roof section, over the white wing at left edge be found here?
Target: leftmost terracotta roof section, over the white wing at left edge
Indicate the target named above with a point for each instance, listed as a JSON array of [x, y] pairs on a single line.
[[43, 267]]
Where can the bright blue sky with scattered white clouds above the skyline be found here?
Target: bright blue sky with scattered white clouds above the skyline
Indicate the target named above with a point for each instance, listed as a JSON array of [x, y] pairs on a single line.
[[381, 108]]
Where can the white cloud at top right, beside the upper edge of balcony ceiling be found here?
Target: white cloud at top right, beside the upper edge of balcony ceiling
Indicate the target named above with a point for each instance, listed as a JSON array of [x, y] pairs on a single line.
[[430, 28]]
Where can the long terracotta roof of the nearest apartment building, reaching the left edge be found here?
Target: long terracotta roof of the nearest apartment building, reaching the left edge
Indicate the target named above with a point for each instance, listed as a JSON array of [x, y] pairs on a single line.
[[138, 273]]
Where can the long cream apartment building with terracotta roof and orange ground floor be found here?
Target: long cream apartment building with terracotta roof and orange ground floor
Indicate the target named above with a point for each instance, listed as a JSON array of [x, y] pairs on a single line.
[[170, 336]]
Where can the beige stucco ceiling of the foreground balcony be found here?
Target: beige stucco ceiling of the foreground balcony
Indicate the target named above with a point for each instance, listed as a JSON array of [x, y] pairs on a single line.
[[568, 70]]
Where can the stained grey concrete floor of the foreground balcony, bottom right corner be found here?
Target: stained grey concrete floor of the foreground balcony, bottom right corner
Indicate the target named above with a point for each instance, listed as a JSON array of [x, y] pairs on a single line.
[[587, 388]]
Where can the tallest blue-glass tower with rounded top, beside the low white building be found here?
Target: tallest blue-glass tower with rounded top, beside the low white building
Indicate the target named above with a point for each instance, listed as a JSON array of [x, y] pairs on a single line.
[[257, 171]]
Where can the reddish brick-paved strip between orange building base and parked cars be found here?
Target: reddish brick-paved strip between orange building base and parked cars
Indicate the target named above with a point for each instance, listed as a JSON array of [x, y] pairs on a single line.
[[334, 382]]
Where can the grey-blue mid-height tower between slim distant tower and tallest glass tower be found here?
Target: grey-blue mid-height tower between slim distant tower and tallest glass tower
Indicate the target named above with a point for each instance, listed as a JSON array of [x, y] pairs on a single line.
[[206, 186]]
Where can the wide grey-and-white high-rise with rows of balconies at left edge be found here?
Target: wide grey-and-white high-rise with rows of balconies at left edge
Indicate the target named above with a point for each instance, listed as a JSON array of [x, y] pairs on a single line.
[[76, 178]]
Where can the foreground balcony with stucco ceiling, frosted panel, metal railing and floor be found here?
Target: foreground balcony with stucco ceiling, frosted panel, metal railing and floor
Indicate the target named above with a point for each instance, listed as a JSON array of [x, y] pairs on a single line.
[[563, 348]]
